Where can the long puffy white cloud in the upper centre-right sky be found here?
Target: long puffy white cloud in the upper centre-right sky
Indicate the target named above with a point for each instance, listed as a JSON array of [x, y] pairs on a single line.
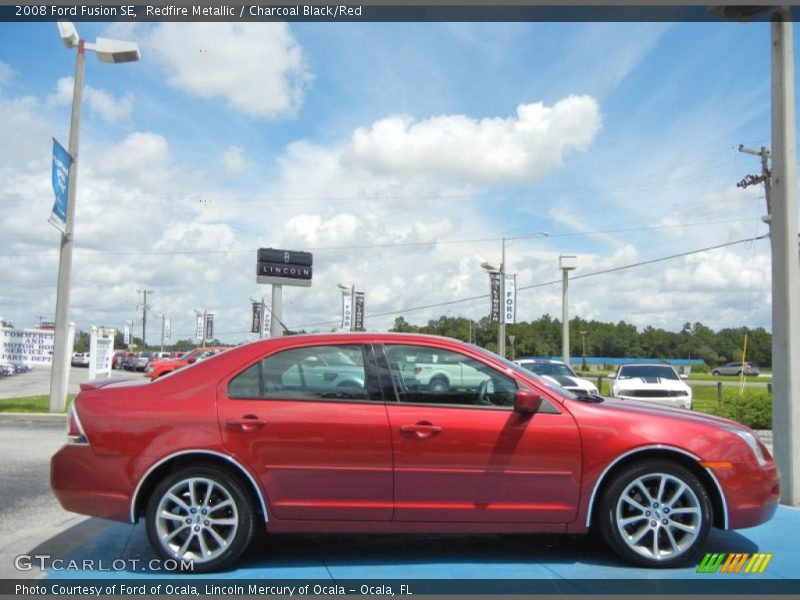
[[492, 150]]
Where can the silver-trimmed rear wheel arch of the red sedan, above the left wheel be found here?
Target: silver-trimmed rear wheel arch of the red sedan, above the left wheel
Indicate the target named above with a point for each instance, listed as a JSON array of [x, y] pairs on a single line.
[[186, 458]]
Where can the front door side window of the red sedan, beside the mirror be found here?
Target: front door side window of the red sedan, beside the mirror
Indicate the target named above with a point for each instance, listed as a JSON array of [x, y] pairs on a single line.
[[423, 375]]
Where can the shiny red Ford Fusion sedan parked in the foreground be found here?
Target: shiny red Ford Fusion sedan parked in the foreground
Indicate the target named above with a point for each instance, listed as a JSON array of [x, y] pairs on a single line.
[[334, 433]]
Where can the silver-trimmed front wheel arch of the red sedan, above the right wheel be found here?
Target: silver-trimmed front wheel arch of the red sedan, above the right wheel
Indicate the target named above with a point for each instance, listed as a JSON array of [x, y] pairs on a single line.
[[679, 456]]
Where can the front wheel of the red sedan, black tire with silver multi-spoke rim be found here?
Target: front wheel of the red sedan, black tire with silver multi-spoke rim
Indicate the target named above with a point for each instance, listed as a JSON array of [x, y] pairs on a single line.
[[673, 527]]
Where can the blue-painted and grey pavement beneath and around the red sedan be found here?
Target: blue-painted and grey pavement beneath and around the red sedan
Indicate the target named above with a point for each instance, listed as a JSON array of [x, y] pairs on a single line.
[[33, 523]]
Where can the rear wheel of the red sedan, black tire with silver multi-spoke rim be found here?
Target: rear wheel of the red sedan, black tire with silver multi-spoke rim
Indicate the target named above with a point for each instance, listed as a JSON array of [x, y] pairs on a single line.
[[184, 535]]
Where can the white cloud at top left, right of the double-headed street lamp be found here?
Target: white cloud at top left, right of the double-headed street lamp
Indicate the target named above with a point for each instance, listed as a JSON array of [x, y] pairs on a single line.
[[258, 68]]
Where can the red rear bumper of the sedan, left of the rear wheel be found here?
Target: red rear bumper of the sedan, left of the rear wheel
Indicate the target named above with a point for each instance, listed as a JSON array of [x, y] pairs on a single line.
[[90, 485]]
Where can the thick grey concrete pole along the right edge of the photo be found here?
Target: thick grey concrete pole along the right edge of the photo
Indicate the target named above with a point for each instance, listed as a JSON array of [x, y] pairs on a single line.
[[785, 263]]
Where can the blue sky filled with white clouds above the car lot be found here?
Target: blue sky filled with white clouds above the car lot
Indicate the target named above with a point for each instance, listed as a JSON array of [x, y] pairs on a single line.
[[342, 139]]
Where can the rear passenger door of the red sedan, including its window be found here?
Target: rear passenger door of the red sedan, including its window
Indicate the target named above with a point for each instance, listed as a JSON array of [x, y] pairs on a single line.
[[321, 452]]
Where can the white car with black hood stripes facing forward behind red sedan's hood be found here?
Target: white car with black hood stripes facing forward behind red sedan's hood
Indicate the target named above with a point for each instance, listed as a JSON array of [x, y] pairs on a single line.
[[659, 384]]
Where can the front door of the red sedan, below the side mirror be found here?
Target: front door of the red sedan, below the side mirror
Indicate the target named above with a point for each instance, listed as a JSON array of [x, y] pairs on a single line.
[[465, 455]]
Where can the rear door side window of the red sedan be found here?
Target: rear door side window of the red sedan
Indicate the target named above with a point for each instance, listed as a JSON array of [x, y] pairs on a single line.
[[309, 373]]
